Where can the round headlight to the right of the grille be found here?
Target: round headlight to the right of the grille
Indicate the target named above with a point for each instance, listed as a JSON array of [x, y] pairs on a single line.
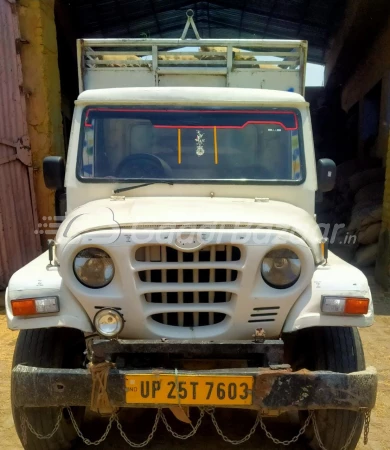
[[281, 268]]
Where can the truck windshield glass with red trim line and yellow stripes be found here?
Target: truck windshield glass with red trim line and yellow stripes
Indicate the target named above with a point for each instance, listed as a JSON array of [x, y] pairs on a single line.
[[184, 145]]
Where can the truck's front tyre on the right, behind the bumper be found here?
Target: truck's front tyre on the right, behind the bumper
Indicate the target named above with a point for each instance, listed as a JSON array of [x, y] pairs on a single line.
[[338, 349]]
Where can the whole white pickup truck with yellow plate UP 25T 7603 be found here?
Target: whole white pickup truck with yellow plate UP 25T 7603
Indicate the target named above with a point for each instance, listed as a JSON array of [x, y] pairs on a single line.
[[189, 270]]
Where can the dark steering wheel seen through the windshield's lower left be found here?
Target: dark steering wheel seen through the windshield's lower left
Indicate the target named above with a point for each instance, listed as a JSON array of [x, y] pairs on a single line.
[[143, 165]]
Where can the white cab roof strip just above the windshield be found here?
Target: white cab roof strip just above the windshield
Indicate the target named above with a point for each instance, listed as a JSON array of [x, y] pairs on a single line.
[[184, 95]]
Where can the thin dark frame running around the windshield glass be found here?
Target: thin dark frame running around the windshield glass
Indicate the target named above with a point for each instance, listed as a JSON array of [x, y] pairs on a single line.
[[197, 181]]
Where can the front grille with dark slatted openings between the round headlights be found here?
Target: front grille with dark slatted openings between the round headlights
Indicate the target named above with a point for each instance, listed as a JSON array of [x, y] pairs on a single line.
[[172, 276]]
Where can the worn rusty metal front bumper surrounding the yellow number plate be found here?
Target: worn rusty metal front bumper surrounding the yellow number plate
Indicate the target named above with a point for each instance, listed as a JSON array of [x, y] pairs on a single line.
[[274, 389]]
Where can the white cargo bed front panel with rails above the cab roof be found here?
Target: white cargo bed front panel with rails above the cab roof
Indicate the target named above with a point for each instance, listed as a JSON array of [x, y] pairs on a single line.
[[253, 63]]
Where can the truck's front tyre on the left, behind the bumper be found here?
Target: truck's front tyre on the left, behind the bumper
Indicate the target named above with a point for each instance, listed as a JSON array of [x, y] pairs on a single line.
[[50, 348]]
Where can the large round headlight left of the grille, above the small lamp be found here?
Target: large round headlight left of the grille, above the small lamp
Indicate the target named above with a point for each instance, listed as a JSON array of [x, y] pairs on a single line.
[[93, 267]]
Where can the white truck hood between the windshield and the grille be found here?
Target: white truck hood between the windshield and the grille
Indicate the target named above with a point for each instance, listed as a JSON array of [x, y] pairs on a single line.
[[120, 213]]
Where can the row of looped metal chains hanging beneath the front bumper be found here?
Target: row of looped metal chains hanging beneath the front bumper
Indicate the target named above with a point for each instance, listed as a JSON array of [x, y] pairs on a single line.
[[25, 424]]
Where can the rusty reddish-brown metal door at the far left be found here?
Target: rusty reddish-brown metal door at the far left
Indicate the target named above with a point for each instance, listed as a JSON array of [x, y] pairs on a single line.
[[18, 217]]
